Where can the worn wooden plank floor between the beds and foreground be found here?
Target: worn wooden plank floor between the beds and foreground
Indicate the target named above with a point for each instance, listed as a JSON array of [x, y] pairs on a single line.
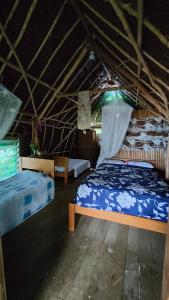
[[101, 260]]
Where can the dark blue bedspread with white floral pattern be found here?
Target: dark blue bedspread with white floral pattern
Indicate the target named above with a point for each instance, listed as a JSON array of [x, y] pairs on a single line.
[[126, 189]]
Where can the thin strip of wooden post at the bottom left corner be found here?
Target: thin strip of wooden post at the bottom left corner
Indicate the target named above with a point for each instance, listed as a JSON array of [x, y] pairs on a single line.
[[2, 275]]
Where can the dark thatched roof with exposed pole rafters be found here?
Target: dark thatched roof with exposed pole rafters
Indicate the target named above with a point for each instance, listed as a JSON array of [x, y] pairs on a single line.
[[44, 56]]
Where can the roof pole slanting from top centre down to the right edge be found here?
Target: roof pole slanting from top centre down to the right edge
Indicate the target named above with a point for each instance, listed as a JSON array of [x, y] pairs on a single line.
[[110, 25]]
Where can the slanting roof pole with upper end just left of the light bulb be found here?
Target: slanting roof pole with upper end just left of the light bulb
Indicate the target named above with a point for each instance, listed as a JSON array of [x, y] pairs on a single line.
[[66, 78]]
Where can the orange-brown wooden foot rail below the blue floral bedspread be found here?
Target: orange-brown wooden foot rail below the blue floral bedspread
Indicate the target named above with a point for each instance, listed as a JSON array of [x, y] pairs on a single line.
[[125, 219]]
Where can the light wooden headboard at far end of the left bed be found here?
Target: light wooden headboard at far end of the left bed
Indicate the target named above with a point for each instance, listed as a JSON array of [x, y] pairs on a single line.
[[38, 164]]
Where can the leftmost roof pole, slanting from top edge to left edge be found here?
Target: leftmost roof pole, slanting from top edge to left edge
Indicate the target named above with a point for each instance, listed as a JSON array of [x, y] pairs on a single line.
[[19, 37]]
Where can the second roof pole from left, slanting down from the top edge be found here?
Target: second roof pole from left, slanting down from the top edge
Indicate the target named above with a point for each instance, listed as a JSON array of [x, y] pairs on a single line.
[[55, 21]]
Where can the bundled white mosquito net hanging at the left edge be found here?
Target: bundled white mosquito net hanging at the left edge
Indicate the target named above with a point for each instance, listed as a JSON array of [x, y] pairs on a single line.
[[9, 107]]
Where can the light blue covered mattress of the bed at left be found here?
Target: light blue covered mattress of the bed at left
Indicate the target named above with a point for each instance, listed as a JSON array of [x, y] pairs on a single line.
[[23, 195]]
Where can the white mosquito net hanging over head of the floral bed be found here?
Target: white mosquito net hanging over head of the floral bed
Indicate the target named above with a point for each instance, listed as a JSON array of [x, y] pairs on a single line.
[[115, 121]]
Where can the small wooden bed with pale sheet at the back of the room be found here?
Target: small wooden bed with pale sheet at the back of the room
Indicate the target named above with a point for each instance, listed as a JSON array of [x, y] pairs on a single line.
[[65, 167]]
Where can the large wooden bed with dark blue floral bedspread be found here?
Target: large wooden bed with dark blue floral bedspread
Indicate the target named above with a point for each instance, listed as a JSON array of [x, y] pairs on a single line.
[[130, 195]]
